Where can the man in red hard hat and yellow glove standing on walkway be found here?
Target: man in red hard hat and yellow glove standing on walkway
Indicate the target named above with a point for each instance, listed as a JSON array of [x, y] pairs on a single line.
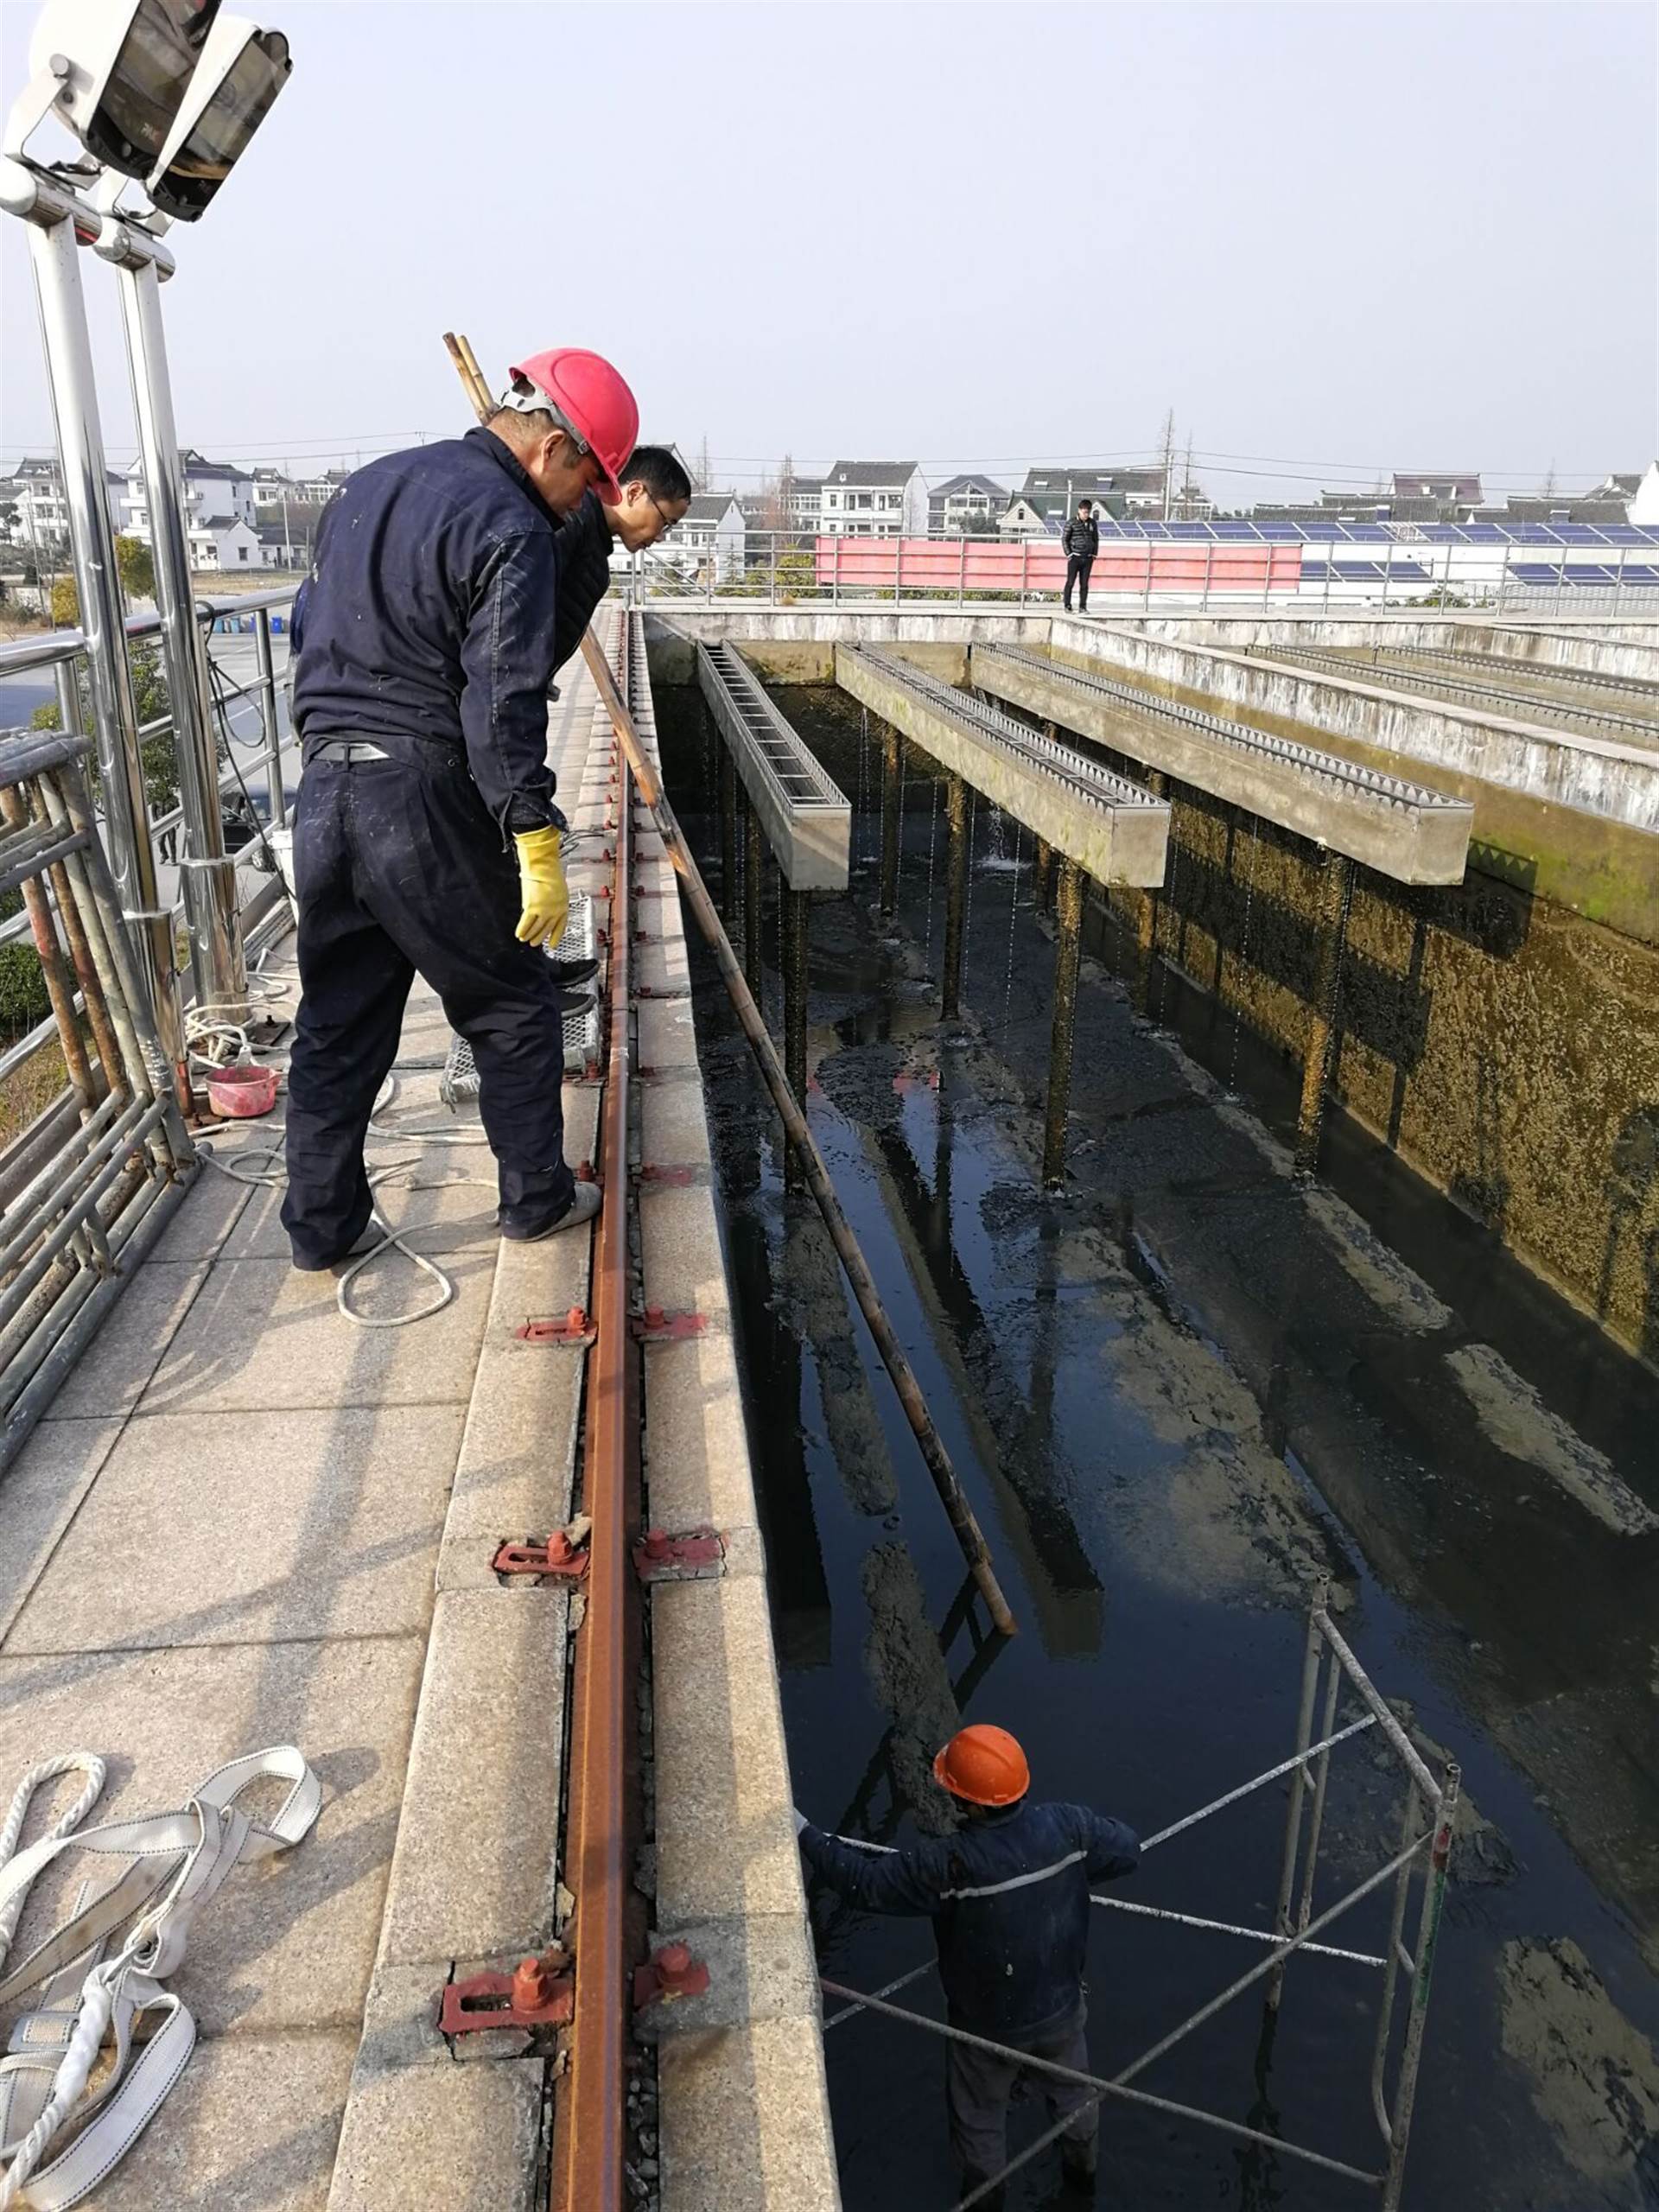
[[428, 839]]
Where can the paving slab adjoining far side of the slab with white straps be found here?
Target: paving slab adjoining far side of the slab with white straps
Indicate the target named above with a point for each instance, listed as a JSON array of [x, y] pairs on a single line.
[[275, 1525]]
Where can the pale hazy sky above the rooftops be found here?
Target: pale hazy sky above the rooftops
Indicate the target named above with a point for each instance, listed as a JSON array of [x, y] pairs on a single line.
[[1333, 238]]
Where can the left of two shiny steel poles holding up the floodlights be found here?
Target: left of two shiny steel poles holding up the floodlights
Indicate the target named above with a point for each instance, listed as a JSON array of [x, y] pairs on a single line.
[[81, 444]]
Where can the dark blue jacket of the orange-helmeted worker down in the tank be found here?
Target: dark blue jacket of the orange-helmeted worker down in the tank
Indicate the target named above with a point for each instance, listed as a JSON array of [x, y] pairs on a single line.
[[1008, 1899]]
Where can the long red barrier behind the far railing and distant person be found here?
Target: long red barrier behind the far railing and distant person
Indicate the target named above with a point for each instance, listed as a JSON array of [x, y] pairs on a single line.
[[994, 565]]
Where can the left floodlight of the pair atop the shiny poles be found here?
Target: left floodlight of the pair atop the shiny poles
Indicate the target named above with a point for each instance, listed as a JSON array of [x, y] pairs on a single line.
[[116, 72]]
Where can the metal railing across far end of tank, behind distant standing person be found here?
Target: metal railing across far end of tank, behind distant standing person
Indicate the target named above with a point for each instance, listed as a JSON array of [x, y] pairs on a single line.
[[1229, 576]]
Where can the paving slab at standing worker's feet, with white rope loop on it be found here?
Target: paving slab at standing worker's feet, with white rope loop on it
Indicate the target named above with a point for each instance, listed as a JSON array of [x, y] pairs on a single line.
[[264, 1335]]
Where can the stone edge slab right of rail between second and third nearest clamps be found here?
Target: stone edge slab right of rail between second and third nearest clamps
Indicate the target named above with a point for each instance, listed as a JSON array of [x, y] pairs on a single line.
[[698, 1457]]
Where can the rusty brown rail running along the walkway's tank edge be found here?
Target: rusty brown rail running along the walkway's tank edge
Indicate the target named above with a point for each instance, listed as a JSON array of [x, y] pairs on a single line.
[[589, 2140]]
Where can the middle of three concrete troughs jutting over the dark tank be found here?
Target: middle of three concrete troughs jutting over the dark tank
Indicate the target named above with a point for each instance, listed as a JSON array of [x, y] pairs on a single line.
[[1109, 826]]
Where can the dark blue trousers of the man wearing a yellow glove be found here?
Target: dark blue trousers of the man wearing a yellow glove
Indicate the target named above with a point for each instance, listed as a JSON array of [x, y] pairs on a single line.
[[399, 870]]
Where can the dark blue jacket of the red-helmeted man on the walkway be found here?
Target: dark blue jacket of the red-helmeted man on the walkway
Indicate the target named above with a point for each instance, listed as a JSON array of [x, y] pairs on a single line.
[[430, 618]]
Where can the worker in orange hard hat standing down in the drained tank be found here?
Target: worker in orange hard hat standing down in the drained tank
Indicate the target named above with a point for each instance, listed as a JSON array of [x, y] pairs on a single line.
[[1010, 1906]]
